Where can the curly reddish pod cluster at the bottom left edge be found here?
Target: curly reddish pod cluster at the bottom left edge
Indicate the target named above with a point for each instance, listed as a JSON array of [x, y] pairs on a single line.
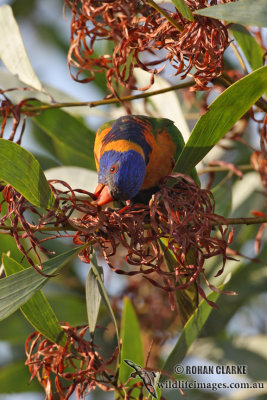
[[76, 366]]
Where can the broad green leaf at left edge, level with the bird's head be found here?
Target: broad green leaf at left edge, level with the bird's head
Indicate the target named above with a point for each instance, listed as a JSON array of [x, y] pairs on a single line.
[[21, 170]]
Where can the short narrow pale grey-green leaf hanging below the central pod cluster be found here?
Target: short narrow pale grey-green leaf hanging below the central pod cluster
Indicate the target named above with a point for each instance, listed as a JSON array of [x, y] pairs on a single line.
[[93, 294]]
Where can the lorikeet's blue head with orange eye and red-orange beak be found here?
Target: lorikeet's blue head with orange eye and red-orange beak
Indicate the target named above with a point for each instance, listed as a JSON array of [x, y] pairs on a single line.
[[120, 176]]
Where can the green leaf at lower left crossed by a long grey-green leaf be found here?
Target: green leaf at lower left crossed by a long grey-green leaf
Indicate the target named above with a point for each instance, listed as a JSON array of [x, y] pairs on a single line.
[[37, 310]]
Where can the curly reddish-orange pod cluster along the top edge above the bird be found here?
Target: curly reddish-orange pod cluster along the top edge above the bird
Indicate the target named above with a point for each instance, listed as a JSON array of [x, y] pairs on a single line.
[[141, 37]]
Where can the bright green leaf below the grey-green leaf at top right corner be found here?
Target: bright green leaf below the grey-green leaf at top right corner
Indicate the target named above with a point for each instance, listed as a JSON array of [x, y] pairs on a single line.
[[249, 45]]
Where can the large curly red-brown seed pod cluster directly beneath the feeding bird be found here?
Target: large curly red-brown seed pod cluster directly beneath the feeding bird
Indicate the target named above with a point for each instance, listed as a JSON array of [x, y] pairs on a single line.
[[180, 219]]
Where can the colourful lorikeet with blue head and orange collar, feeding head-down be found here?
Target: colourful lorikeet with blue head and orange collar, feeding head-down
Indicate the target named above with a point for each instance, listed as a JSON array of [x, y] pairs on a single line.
[[132, 154]]
